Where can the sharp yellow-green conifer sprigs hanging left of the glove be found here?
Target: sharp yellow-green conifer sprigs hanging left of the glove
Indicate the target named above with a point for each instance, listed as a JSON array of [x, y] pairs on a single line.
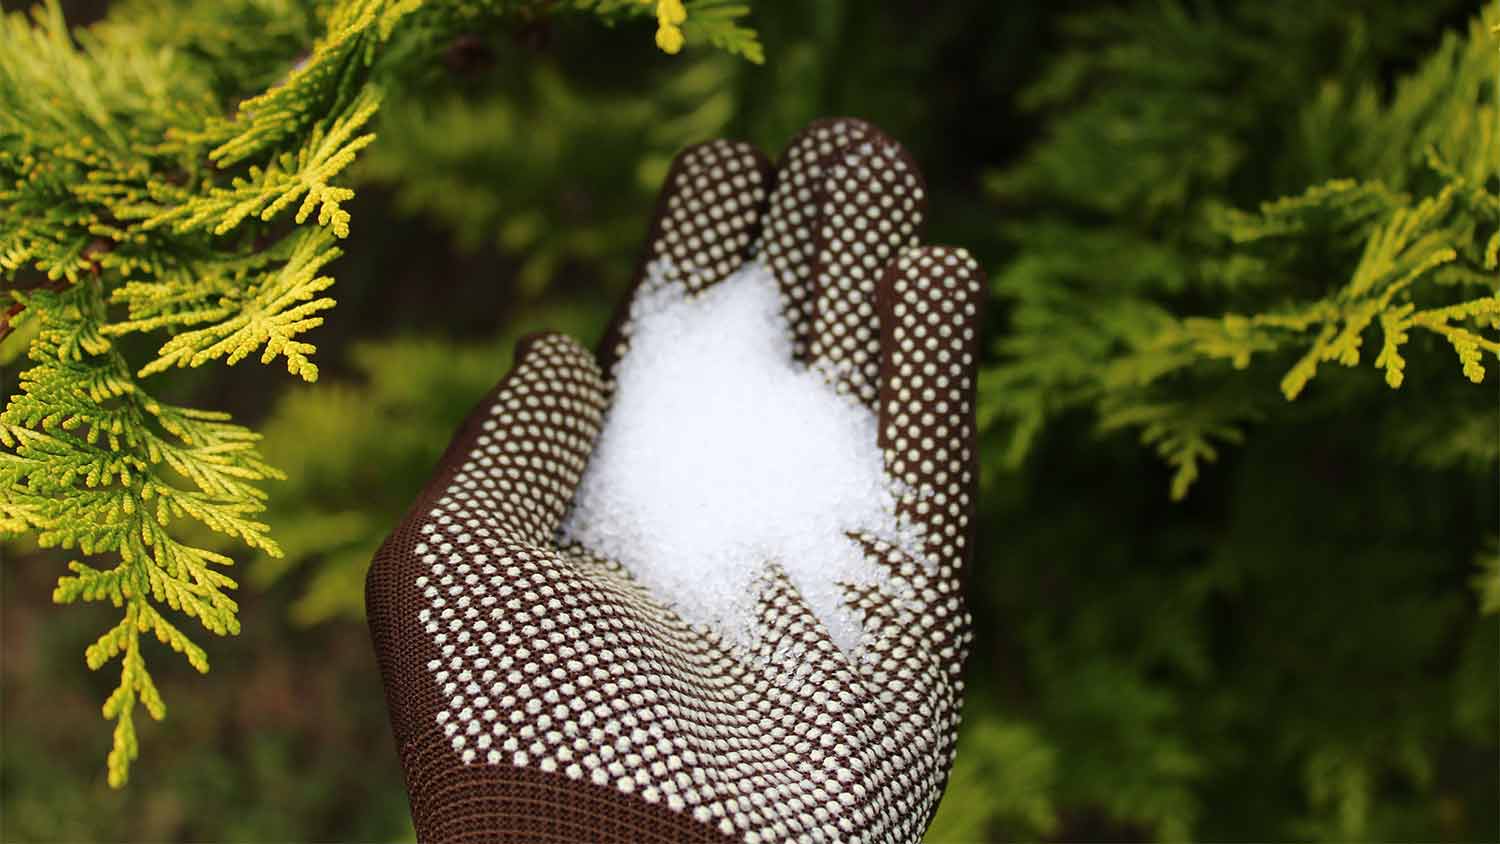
[[166, 175]]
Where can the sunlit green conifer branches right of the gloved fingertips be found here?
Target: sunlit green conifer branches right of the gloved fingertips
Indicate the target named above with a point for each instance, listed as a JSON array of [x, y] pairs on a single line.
[[1163, 292]]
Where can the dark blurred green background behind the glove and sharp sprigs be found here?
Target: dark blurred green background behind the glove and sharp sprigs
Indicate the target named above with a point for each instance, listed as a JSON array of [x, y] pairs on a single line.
[[1295, 651]]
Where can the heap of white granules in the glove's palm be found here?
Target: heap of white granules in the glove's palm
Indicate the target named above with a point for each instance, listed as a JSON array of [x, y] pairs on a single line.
[[722, 455]]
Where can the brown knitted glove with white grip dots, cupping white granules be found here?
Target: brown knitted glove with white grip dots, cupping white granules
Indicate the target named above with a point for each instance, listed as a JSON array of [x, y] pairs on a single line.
[[538, 693]]
